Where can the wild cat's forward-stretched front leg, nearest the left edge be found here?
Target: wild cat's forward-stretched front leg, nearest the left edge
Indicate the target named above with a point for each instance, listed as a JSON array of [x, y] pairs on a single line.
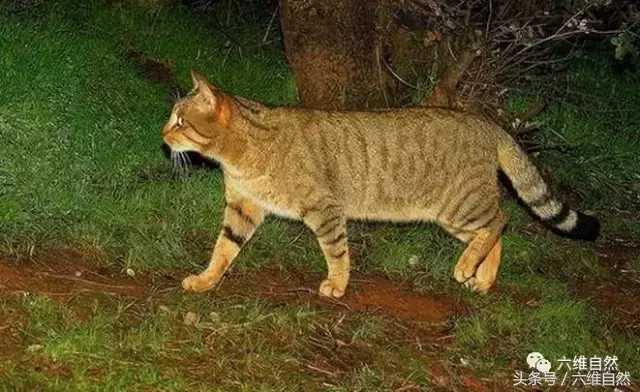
[[241, 219]]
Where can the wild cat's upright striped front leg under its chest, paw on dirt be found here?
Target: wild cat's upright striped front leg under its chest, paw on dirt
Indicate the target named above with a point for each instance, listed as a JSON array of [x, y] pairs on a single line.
[[329, 224]]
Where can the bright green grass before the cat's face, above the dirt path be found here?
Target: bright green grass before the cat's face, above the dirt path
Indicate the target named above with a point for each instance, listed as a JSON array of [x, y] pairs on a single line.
[[79, 125]]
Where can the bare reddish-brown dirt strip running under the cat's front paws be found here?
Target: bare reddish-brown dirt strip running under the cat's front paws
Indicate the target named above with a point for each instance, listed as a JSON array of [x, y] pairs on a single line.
[[68, 272]]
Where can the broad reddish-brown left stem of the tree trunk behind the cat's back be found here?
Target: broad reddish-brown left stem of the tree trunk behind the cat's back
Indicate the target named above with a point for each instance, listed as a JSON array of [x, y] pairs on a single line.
[[330, 44]]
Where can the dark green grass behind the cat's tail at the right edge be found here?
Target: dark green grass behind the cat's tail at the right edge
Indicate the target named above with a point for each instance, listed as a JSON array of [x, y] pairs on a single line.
[[593, 113]]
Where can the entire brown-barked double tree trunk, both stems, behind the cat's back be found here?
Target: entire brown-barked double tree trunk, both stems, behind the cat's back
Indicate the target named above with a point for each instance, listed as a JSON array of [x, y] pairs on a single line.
[[371, 54]]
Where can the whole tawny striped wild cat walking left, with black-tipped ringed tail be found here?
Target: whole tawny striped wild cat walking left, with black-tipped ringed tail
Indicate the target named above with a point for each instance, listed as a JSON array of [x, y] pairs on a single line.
[[325, 167]]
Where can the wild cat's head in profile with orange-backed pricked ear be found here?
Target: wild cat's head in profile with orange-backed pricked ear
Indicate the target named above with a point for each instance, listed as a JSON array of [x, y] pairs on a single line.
[[198, 120]]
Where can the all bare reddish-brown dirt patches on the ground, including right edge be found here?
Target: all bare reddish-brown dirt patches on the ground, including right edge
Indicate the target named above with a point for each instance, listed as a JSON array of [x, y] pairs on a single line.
[[422, 320]]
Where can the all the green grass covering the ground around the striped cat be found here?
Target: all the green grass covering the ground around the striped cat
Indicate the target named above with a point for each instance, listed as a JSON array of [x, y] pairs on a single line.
[[78, 127]]
